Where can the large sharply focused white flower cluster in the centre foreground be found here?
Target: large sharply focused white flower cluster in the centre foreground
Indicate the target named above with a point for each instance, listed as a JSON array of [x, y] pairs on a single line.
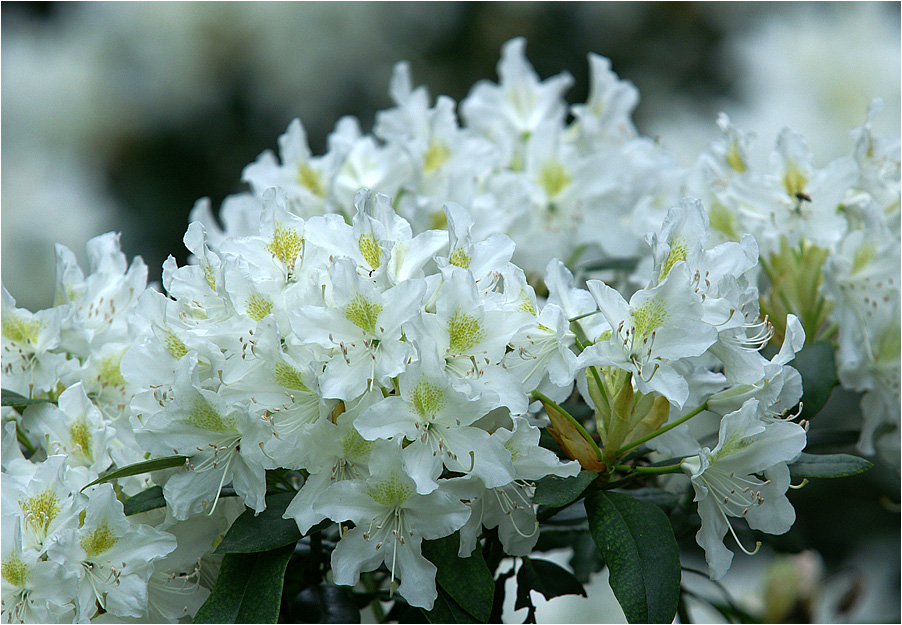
[[373, 360]]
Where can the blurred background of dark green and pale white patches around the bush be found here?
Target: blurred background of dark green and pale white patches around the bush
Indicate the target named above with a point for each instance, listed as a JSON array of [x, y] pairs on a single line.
[[119, 116]]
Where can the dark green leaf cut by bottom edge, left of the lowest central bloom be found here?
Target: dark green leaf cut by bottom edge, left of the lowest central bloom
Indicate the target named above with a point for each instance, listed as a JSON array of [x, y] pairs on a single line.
[[248, 589]]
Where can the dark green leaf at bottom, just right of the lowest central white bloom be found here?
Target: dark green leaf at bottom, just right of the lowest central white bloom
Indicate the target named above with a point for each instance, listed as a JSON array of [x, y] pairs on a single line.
[[467, 581]]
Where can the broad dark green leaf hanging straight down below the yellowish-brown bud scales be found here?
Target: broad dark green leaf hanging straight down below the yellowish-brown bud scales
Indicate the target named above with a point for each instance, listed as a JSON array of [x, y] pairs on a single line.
[[637, 543]]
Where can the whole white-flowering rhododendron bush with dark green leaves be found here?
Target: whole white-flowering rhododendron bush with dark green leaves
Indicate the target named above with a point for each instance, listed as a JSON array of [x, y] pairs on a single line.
[[393, 372]]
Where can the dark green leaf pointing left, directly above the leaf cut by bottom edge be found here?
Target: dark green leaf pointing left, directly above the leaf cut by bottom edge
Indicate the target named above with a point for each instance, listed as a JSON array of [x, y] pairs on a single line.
[[263, 532]]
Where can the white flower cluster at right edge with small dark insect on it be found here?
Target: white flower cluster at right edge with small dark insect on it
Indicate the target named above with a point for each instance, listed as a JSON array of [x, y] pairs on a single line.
[[830, 251]]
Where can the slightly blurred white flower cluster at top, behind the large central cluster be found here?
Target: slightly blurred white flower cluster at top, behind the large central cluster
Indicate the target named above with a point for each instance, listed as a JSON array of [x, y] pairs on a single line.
[[558, 190]]
